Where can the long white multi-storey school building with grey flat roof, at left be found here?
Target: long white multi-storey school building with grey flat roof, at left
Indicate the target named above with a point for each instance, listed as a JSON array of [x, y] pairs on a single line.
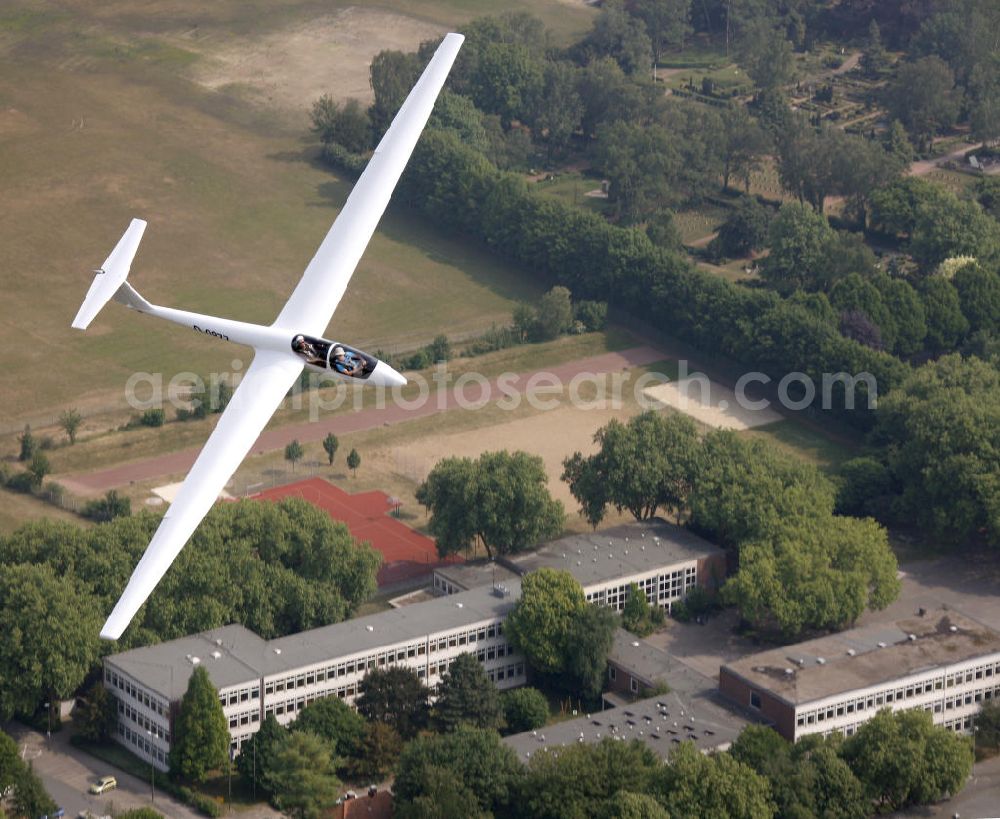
[[256, 677]]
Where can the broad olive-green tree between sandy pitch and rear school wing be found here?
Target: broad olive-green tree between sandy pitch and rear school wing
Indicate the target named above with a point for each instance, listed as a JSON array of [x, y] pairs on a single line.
[[641, 466]]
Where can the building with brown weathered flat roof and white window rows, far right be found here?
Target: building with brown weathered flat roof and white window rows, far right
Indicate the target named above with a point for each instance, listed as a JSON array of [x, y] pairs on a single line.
[[940, 661]]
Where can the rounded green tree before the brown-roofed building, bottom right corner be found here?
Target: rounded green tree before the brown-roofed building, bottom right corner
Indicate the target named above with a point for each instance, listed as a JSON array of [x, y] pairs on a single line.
[[904, 759]]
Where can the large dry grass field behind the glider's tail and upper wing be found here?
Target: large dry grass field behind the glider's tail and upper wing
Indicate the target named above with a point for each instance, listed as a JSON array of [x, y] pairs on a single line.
[[102, 119]]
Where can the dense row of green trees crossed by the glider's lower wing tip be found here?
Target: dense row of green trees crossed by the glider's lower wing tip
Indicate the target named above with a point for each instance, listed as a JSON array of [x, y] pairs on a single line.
[[277, 568]]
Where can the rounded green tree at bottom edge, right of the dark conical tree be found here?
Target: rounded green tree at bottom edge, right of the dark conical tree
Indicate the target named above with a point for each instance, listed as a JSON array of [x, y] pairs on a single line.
[[301, 777]]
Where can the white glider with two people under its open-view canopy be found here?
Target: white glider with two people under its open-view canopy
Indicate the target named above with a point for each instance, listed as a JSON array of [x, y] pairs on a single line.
[[282, 349]]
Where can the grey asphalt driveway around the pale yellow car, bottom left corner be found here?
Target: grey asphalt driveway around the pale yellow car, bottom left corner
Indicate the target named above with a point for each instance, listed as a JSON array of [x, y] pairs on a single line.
[[67, 772]]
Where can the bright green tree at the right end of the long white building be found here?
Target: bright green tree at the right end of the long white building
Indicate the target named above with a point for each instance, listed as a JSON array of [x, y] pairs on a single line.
[[540, 623]]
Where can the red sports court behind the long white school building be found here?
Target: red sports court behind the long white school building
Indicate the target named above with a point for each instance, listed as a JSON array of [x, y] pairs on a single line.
[[405, 553]]
